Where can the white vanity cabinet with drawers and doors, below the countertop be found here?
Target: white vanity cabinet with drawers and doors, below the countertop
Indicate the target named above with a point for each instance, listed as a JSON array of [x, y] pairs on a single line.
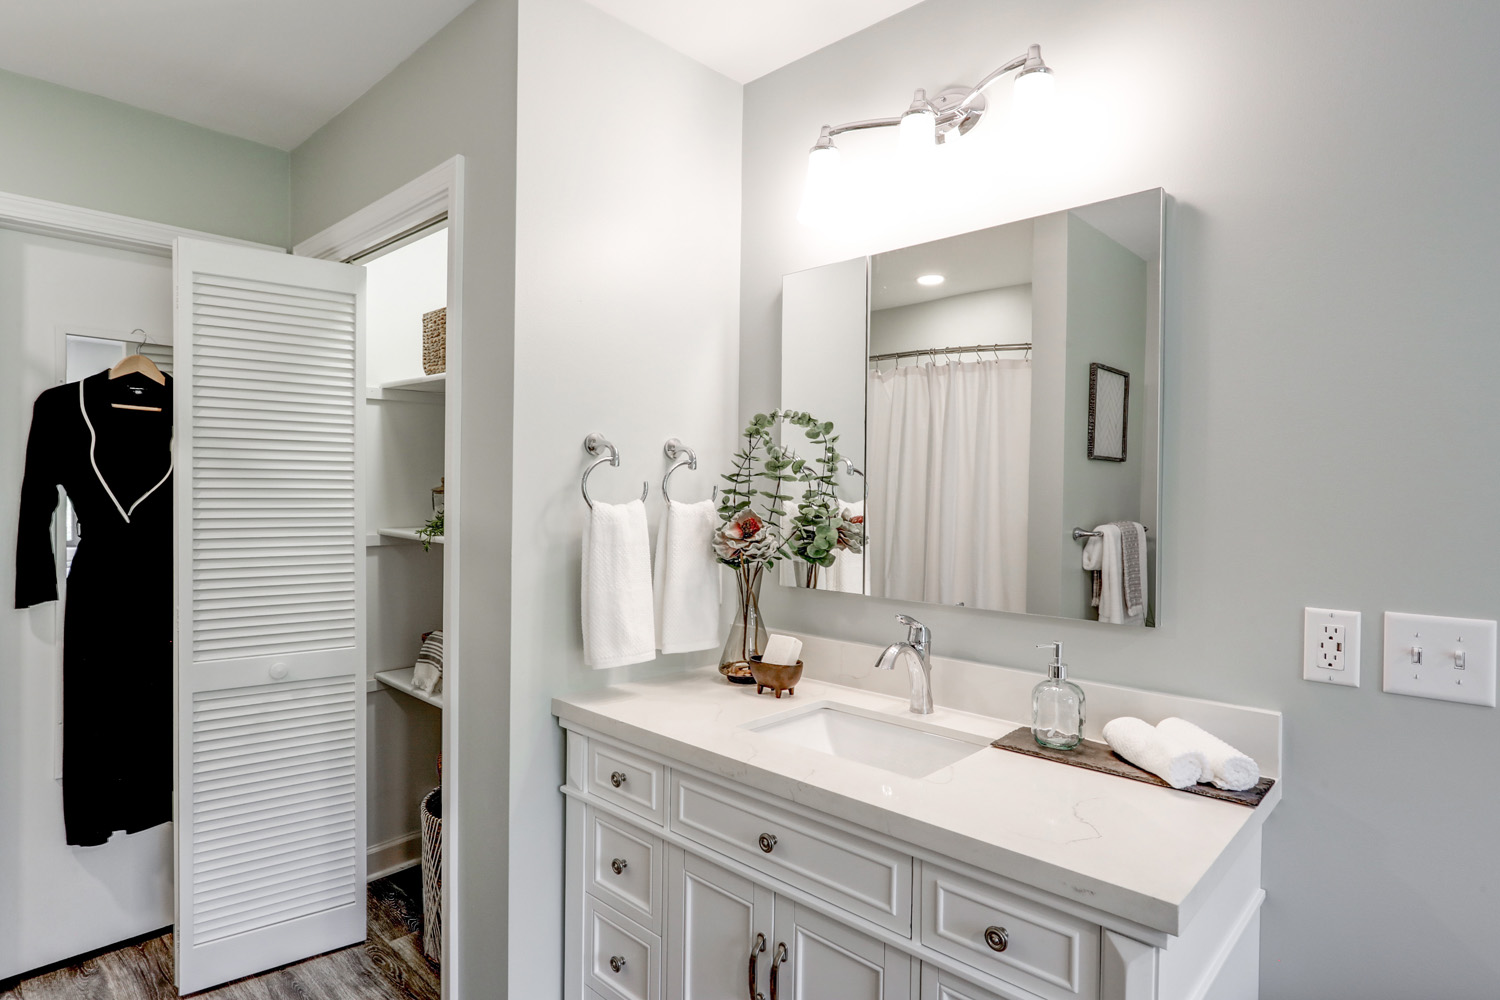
[[683, 885]]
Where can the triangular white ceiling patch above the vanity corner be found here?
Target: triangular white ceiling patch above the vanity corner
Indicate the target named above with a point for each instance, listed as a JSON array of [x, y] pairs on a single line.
[[751, 38]]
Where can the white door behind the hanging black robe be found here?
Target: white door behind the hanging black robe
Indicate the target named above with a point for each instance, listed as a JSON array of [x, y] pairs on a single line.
[[59, 900]]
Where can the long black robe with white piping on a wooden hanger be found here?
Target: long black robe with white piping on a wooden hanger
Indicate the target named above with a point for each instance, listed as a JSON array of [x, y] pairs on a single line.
[[118, 632]]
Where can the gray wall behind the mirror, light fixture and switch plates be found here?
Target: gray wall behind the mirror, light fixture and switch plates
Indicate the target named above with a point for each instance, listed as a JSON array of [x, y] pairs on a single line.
[[1331, 317]]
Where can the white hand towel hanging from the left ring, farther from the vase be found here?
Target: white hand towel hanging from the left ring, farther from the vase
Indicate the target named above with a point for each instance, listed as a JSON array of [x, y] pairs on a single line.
[[619, 620]]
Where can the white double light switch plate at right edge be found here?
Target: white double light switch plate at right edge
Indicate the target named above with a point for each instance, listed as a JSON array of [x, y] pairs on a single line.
[[1442, 674]]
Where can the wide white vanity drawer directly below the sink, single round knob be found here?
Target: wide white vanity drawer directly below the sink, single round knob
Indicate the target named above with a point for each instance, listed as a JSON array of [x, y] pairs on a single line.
[[850, 872]]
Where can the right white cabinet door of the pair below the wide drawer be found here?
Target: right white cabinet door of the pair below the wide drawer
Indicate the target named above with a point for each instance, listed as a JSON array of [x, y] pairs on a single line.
[[818, 959]]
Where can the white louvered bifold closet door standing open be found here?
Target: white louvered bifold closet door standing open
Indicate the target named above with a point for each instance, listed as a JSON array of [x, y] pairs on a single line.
[[271, 624]]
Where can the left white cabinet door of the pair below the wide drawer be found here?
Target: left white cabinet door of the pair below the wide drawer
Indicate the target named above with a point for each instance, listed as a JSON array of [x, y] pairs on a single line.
[[719, 932]]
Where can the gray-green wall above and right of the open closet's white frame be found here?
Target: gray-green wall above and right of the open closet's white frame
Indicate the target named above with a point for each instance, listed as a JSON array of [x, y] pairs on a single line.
[[457, 95]]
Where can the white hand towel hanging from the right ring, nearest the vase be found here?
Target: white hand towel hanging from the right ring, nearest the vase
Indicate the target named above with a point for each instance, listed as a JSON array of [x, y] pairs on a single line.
[[689, 585]]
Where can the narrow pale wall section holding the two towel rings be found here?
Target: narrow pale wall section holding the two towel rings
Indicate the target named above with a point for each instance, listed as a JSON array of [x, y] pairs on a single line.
[[628, 253]]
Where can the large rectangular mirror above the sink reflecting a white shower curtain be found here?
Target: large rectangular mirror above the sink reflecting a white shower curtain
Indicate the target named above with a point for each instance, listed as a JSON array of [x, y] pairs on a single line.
[[998, 400]]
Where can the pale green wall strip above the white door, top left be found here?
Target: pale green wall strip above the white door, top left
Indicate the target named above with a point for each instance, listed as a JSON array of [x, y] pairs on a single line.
[[77, 149]]
